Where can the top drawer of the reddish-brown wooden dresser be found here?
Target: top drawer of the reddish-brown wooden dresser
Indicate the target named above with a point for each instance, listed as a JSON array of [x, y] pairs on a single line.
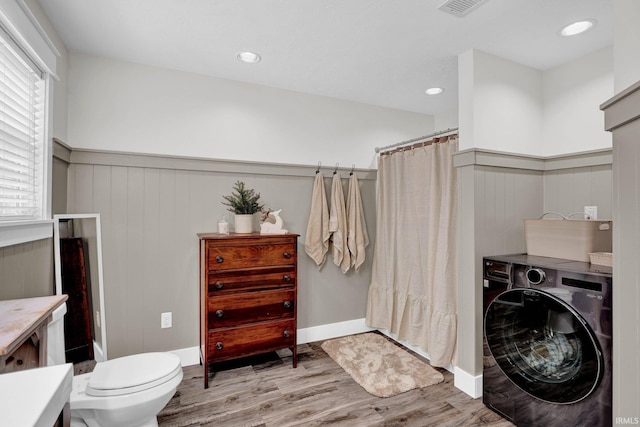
[[250, 254]]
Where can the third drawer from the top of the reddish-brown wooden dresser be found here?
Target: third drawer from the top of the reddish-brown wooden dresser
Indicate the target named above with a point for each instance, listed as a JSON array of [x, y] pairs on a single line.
[[250, 307]]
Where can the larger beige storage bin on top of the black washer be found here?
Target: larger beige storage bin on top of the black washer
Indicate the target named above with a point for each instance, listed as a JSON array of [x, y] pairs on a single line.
[[572, 239]]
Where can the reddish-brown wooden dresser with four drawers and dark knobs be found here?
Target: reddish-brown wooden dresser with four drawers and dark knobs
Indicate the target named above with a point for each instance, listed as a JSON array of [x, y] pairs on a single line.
[[248, 296]]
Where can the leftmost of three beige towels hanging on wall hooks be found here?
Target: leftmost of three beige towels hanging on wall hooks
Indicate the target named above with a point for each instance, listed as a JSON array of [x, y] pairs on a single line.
[[316, 242]]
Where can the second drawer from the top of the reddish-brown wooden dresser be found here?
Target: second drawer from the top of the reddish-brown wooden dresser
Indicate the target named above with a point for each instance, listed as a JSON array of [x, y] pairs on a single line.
[[233, 281]]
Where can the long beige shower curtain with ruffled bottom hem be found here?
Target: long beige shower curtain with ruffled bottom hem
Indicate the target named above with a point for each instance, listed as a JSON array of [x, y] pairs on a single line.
[[413, 284]]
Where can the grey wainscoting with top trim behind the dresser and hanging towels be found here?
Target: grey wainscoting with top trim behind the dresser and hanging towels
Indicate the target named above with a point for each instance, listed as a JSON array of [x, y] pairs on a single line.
[[150, 217]]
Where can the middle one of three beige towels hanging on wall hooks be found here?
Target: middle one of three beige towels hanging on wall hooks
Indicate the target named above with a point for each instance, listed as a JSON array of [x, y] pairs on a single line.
[[338, 225]]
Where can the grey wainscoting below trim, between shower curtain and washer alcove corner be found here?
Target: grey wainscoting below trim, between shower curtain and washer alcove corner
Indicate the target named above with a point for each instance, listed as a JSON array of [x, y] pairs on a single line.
[[493, 202]]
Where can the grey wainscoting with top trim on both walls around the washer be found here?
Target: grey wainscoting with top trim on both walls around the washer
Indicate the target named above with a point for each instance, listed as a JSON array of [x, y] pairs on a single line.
[[497, 191]]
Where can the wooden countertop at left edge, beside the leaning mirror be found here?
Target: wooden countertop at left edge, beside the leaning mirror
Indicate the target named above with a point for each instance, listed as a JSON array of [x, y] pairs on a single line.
[[19, 318]]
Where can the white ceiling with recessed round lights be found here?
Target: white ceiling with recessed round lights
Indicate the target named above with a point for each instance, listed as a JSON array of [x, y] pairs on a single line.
[[380, 52]]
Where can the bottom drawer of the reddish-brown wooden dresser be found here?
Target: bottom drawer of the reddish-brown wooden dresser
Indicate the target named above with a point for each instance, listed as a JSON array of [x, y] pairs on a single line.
[[230, 343]]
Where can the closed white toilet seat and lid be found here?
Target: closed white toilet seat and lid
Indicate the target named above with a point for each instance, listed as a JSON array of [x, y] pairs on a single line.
[[131, 374]]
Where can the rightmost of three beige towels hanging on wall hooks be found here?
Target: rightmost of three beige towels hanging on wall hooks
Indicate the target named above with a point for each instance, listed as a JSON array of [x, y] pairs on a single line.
[[357, 236]]
